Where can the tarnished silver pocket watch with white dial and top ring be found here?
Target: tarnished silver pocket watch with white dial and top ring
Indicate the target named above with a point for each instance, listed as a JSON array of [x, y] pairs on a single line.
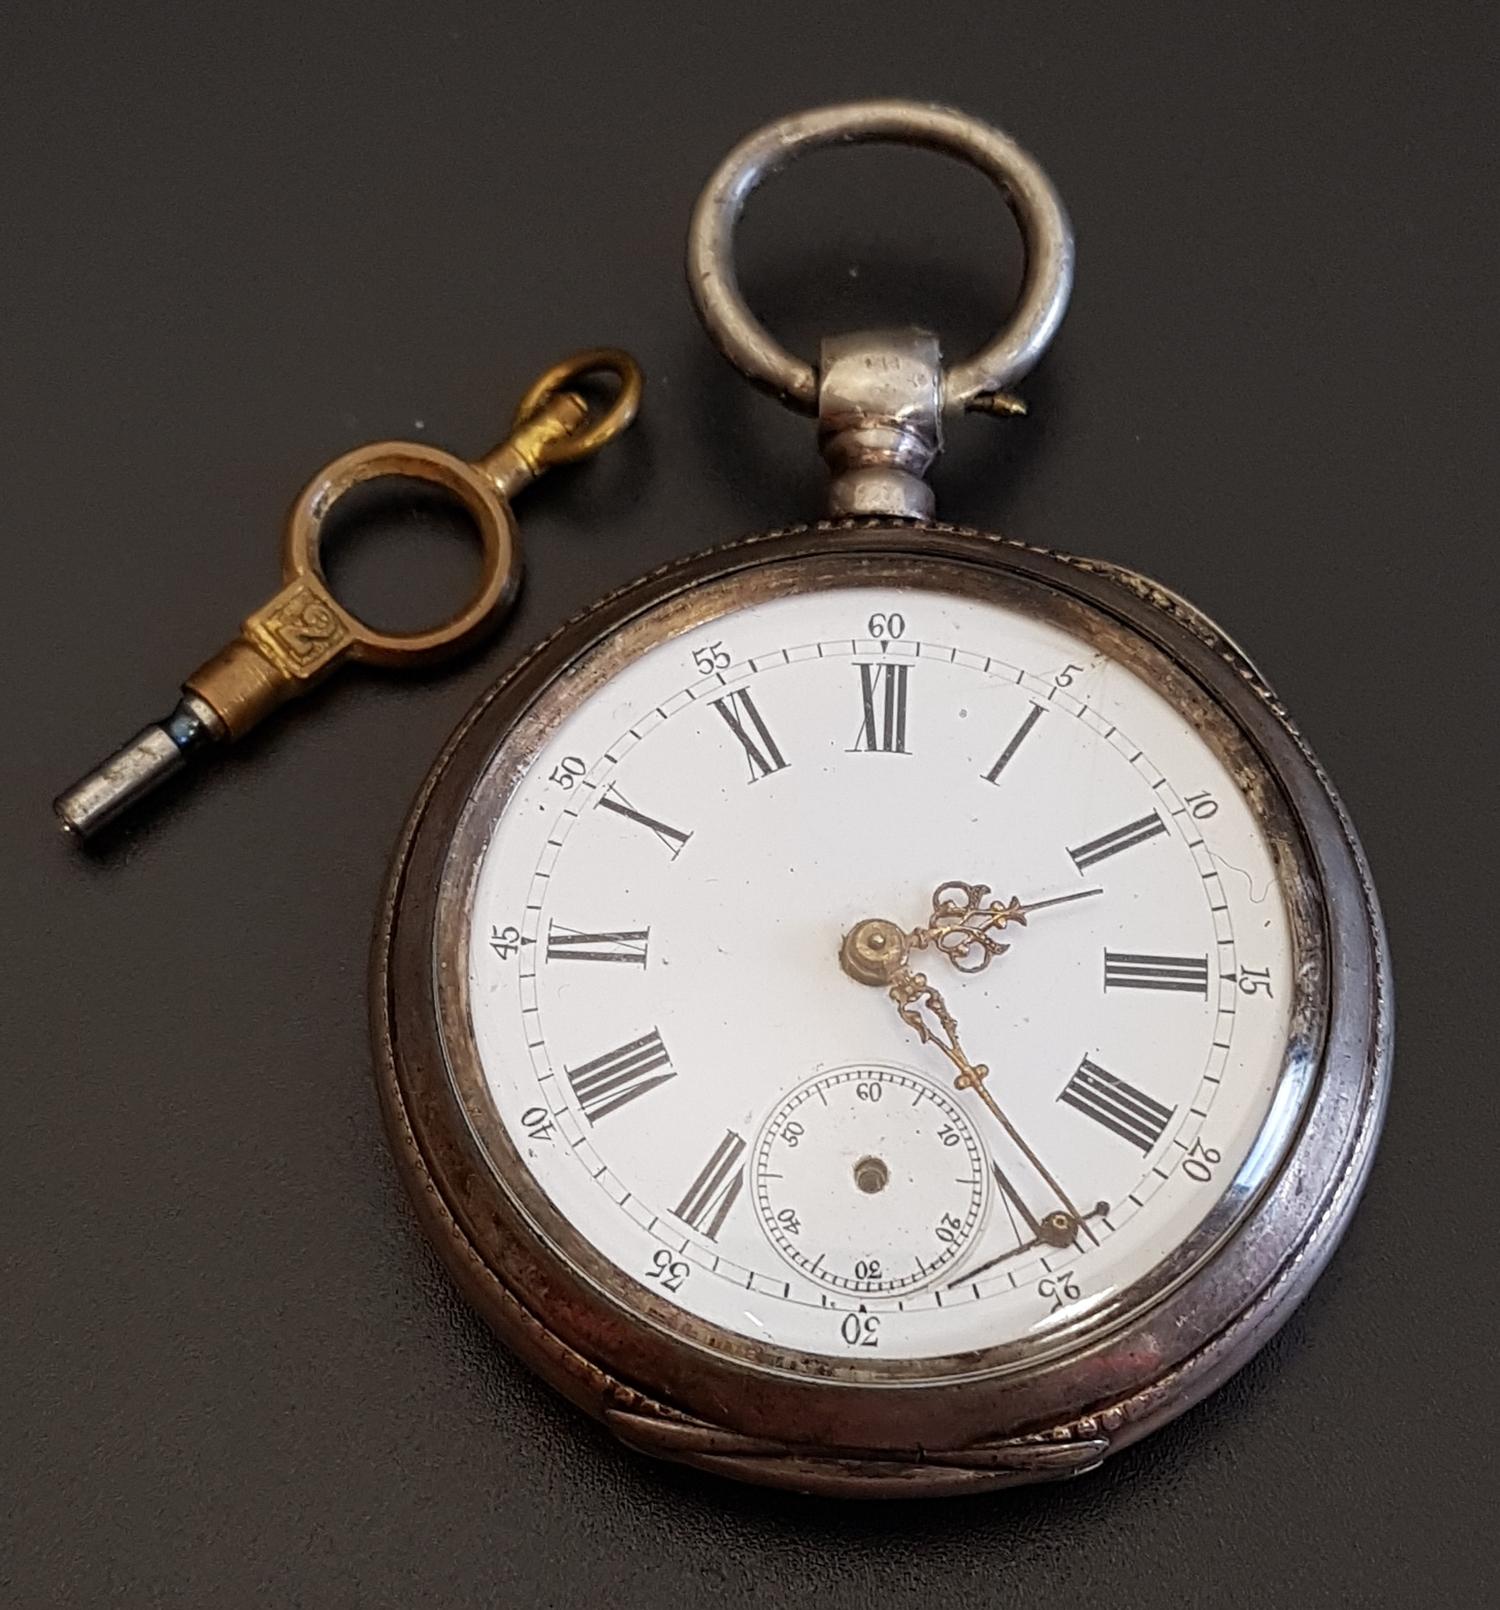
[[880, 1009]]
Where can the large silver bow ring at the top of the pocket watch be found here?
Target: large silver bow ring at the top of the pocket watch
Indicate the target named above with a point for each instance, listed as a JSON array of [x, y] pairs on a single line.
[[1045, 233]]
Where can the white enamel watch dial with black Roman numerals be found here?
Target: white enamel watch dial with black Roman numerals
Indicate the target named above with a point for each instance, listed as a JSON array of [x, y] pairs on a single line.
[[657, 1001]]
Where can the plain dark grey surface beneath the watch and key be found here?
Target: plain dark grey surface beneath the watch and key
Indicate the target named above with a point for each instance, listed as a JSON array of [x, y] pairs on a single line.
[[241, 241]]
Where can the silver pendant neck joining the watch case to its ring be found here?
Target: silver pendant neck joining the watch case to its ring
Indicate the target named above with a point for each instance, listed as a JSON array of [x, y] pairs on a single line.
[[880, 423]]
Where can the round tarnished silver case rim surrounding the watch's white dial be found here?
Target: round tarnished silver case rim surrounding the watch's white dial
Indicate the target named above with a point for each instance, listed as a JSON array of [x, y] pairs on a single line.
[[1020, 1413]]
